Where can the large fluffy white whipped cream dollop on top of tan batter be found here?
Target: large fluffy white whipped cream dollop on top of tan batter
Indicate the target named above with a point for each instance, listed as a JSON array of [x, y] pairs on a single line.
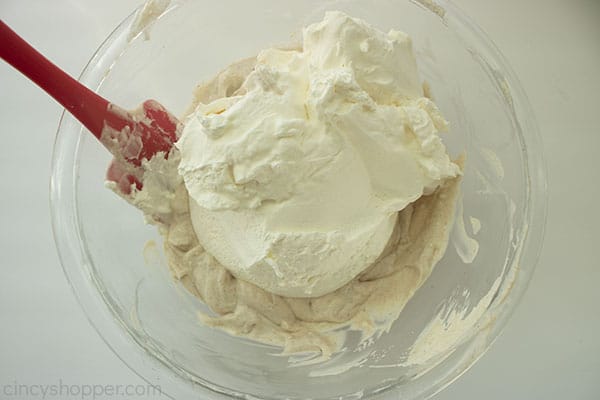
[[296, 180]]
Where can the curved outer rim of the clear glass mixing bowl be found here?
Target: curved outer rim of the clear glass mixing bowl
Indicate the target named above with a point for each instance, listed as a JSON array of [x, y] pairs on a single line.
[[72, 256]]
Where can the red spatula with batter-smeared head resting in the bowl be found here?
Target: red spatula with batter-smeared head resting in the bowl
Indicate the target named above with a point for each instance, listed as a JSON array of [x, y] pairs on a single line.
[[130, 136]]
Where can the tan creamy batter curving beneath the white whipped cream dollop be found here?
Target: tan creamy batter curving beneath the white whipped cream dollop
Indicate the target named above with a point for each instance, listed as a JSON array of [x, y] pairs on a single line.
[[369, 303]]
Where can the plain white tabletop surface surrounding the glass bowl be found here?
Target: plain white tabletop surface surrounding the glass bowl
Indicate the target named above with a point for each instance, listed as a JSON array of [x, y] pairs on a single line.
[[550, 348]]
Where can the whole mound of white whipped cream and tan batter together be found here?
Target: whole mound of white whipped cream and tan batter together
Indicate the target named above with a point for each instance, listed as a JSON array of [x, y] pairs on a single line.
[[309, 190]]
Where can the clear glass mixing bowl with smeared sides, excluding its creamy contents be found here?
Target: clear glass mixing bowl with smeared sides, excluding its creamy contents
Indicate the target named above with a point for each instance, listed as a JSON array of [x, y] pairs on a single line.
[[151, 322]]
